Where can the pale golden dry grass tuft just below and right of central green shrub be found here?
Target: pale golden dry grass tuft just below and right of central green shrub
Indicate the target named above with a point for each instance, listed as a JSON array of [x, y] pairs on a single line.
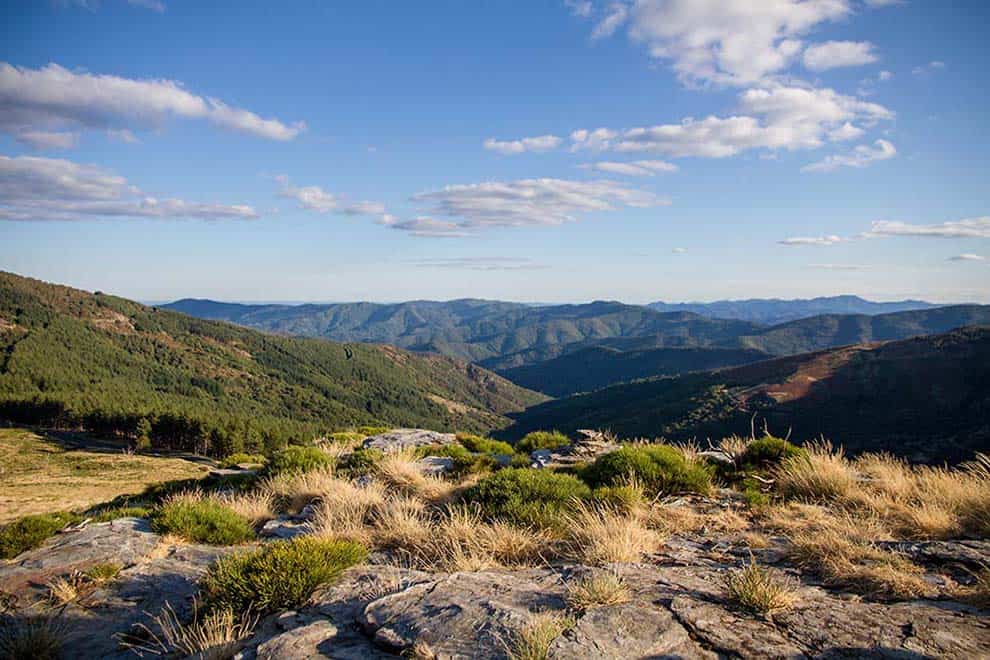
[[599, 535]]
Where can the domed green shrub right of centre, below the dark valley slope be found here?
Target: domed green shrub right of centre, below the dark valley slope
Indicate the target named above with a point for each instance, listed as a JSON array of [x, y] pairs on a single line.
[[660, 469]]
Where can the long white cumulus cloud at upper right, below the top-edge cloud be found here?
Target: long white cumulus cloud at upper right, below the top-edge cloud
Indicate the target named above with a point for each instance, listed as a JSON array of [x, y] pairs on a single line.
[[772, 118]]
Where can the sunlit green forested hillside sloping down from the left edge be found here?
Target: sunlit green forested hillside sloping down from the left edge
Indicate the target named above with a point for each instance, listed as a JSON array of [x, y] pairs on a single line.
[[74, 359]]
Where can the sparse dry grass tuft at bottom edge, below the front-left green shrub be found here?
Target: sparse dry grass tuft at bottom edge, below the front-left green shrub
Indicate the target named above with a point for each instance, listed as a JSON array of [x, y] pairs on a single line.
[[215, 635]]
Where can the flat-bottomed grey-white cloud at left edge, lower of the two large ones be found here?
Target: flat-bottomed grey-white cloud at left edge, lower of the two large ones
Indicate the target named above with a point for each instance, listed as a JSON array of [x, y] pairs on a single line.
[[34, 188]]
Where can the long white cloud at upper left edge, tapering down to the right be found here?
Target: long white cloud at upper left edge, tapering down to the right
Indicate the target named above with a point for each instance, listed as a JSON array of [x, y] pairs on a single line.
[[54, 99]]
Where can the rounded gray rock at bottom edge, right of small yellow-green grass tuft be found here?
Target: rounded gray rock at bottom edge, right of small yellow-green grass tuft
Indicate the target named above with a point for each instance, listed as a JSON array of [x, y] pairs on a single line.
[[630, 630]]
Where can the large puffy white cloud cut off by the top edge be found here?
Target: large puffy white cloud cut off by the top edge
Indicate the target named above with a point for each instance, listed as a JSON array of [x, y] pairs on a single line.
[[735, 42]]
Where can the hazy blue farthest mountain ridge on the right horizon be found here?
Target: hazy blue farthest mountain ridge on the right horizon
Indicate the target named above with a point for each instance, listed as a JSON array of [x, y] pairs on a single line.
[[772, 311]]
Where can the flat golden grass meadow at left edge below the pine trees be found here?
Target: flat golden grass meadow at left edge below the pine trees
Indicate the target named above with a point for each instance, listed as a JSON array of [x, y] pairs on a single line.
[[37, 475]]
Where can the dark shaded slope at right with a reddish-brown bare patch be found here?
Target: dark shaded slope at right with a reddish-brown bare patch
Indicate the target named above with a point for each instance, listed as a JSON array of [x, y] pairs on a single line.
[[927, 398]]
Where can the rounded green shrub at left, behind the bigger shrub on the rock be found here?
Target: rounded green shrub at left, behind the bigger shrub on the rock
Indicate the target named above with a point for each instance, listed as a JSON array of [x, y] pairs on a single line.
[[201, 521]]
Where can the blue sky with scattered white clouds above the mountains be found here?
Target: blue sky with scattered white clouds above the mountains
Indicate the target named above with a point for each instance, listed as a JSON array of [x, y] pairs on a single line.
[[546, 151]]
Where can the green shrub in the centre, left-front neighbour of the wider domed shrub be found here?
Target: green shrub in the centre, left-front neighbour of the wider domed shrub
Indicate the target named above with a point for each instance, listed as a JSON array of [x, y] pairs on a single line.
[[527, 496]]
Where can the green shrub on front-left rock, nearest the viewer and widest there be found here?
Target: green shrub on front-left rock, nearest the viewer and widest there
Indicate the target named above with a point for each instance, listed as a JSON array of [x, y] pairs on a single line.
[[280, 576]]
